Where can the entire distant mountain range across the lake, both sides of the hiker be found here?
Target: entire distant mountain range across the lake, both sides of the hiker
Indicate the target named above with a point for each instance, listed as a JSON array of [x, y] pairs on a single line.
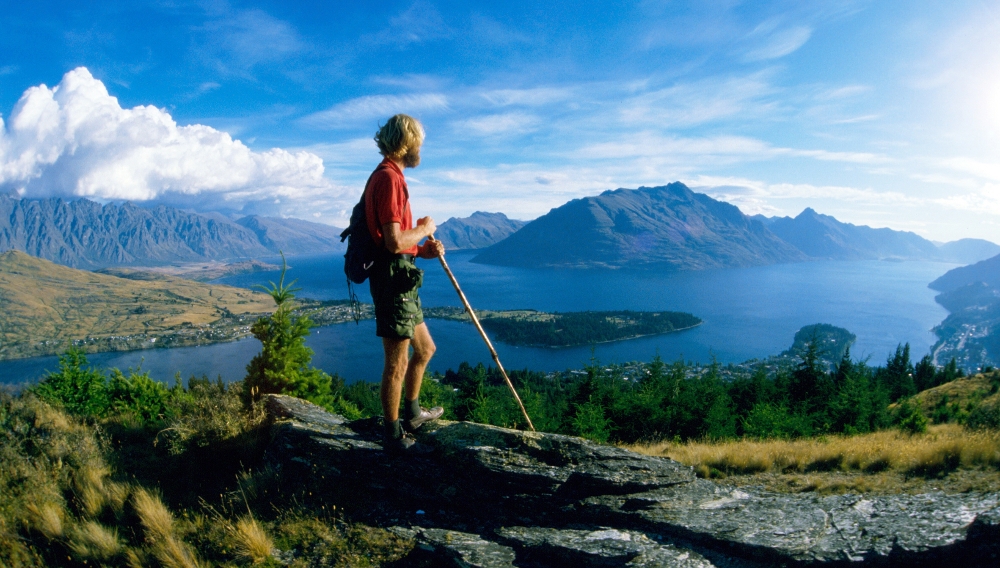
[[668, 226]]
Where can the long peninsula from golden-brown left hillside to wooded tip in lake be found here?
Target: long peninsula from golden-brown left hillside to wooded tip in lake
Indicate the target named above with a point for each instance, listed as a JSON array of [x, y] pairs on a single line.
[[48, 308]]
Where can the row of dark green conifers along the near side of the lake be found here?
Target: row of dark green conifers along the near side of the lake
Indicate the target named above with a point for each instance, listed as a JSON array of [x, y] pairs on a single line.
[[683, 401]]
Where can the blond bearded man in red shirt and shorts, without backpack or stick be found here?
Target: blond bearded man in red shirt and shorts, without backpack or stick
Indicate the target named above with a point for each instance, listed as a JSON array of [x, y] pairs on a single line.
[[394, 281]]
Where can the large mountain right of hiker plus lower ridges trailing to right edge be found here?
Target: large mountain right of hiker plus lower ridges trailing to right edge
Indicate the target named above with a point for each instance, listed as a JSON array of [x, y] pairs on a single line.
[[673, 226]]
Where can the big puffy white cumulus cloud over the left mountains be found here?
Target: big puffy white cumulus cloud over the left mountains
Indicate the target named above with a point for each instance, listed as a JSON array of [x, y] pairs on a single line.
[[76, 140]]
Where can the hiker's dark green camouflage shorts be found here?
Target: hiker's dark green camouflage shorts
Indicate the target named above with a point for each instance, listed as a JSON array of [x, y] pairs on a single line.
[[394, 285]]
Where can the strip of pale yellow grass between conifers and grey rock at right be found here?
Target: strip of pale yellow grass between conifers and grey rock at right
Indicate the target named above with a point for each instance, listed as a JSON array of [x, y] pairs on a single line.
[[941, 449]]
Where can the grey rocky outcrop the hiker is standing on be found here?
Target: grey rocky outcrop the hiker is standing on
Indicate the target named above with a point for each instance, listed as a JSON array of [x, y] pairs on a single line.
[[491, 496]]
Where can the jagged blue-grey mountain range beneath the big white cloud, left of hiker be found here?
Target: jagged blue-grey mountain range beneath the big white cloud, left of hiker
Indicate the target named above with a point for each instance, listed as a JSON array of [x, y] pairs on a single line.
[[85, 234]]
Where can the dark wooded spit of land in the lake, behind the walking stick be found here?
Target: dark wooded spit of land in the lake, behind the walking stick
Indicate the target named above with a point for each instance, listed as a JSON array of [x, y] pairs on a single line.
[[531, 328]]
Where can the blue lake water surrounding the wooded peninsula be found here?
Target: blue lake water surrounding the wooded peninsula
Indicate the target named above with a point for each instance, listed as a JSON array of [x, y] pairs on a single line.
[[747, 313]]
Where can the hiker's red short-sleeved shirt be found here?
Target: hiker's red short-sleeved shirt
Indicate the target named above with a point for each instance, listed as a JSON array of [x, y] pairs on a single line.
[[387, 200]]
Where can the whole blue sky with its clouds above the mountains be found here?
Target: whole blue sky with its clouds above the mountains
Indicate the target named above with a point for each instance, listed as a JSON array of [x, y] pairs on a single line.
[[880, 113]]
